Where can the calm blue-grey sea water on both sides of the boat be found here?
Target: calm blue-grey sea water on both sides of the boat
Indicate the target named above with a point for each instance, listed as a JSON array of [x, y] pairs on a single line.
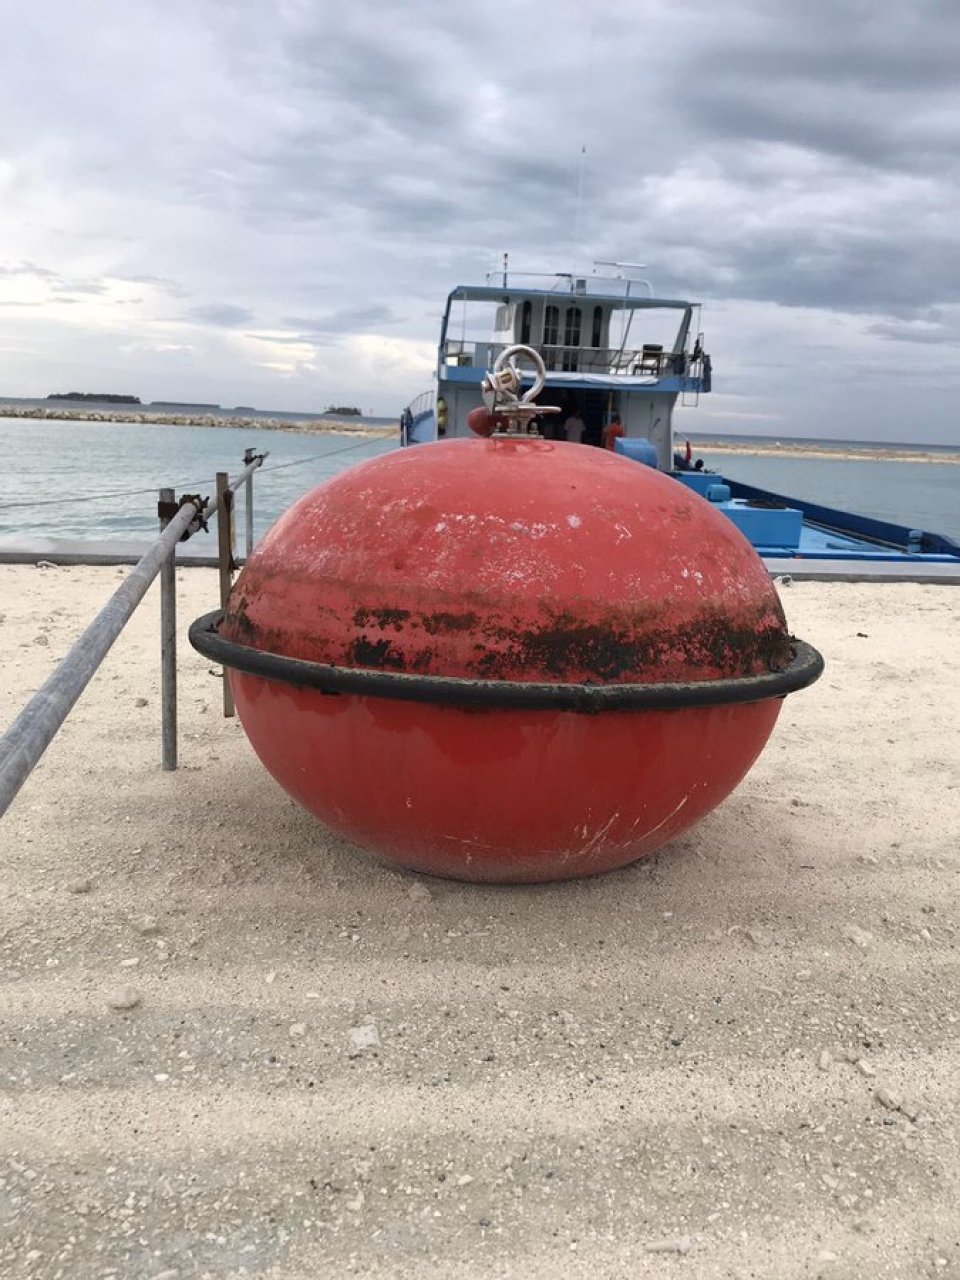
[[99, 481]]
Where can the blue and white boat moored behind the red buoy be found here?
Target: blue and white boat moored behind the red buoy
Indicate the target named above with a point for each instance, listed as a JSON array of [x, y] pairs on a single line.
[[618, 362]]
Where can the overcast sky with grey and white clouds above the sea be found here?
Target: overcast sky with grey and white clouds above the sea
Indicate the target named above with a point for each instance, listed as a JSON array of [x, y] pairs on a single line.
[[267, 202]]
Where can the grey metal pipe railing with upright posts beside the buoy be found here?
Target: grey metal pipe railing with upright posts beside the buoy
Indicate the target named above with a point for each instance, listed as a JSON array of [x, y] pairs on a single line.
[[36, 726]]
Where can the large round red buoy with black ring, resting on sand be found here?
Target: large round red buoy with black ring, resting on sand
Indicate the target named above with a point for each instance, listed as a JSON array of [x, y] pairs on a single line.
[[509, 659]]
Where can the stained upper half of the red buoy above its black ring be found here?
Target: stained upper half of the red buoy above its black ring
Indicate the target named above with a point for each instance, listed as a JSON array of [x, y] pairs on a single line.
[[511, 560]]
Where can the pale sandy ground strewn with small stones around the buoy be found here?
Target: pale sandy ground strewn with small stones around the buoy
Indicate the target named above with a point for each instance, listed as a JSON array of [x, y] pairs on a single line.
[[738, 1059]]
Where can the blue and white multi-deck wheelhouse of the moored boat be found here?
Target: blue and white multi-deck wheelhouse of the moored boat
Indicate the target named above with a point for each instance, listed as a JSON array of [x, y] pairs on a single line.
[[609, 346]]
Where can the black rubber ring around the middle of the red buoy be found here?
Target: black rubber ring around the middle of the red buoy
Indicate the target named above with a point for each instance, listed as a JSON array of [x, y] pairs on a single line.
[[806, 668]]
